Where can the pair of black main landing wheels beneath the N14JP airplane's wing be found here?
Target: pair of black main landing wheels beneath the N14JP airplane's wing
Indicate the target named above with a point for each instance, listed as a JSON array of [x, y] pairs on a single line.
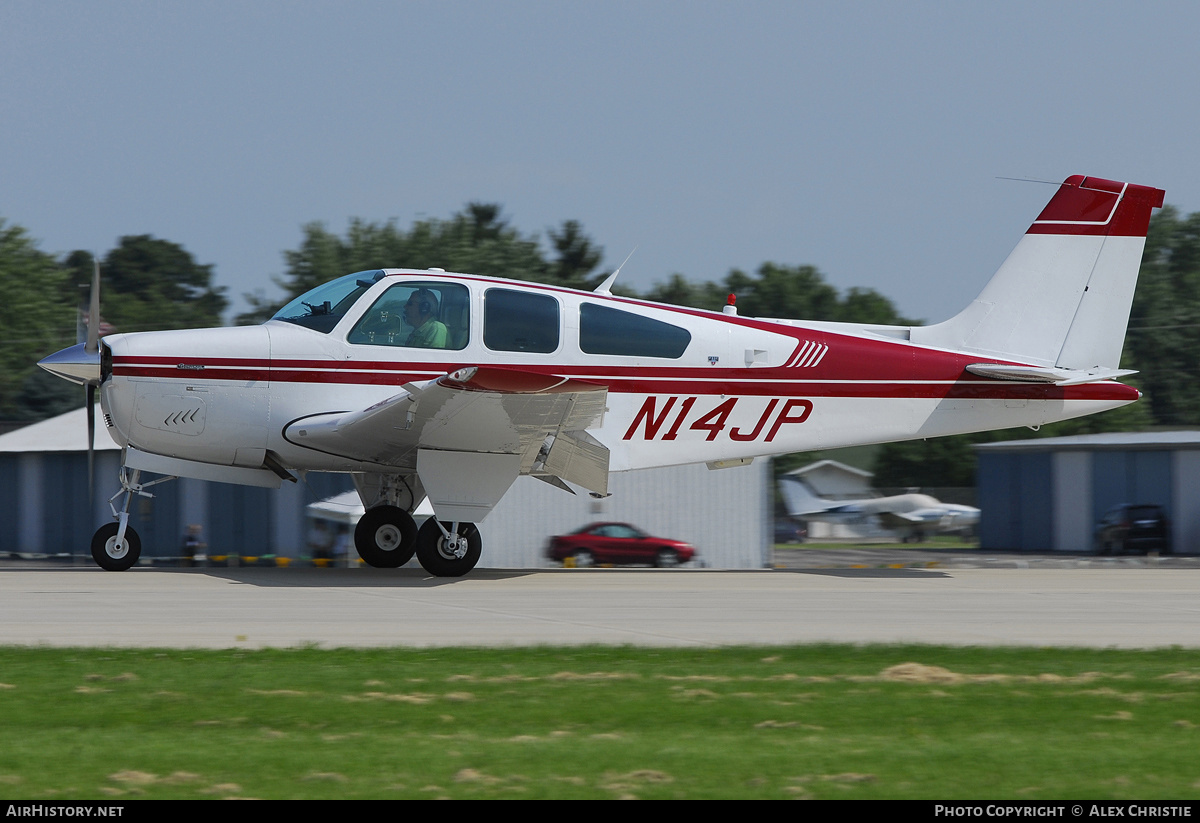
[[387, 538]]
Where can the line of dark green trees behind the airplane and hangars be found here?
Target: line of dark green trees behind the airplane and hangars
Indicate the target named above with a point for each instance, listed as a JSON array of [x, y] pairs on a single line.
[[152, 284]]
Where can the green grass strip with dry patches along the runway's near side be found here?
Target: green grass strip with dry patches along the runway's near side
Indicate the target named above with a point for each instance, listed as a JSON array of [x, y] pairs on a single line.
[[820, 722]]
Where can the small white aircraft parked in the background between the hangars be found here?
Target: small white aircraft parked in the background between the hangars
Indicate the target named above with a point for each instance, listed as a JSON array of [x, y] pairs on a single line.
[[914, 515]]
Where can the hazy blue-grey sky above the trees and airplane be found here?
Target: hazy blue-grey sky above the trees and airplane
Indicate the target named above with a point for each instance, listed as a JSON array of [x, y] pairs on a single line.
[[866, 139]]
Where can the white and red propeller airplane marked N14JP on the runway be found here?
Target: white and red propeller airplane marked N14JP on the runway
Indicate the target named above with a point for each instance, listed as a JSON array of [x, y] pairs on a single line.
[[422, 383]]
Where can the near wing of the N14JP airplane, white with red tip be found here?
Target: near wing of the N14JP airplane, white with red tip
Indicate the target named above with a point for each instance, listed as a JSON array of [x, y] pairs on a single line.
[[506, 418]]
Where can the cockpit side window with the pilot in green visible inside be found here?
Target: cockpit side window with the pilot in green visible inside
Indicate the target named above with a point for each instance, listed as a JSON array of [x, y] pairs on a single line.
[[417, 315]]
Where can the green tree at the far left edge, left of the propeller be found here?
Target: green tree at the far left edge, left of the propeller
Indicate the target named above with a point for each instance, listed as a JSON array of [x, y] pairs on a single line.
[[41, 320]]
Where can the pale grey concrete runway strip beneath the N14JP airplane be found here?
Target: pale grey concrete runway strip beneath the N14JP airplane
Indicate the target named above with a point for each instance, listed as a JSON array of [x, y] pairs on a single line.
[[1120, 605]]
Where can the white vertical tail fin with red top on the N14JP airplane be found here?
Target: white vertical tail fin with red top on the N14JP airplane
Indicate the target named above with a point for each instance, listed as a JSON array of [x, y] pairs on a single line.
[[1063, 298]]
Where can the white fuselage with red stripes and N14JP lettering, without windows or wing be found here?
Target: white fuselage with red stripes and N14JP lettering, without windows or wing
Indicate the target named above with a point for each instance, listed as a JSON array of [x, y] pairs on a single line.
[[741, 388]]
